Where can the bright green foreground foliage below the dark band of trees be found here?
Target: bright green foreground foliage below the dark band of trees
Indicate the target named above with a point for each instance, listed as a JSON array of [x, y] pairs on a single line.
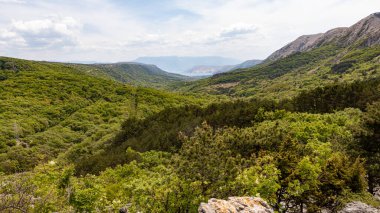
[[290, 159]]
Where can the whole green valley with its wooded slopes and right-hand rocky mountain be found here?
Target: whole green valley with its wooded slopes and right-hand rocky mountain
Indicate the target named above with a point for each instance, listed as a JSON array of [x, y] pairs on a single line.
[[299, 130]]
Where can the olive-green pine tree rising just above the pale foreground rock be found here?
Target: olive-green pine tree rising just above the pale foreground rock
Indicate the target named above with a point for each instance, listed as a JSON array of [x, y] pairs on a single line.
[[206, 158]]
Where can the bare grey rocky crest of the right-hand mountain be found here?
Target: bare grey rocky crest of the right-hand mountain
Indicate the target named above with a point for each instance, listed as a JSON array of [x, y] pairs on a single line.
[[366, 32]]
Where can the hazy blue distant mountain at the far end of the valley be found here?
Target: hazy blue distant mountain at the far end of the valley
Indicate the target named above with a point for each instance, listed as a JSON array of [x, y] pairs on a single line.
[[182, 65]]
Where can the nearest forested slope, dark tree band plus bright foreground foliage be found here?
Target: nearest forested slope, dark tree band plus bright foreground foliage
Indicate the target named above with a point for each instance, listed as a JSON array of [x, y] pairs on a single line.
[[293, 154]]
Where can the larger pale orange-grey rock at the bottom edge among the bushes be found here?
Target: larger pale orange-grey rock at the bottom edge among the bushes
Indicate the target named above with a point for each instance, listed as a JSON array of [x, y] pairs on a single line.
[[235, 205]]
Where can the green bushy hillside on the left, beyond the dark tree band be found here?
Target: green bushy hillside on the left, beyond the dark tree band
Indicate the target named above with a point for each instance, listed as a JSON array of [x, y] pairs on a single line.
[[47, 107]]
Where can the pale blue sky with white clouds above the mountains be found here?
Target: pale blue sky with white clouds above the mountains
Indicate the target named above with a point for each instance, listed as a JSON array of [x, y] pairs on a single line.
[[116, 30]]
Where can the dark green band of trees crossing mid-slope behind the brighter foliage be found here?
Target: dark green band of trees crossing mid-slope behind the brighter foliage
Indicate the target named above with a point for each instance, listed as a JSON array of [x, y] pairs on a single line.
[[160, 130]]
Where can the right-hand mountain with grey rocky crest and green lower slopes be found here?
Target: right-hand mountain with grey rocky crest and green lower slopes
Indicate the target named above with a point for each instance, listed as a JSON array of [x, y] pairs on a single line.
[[339, 55]]
